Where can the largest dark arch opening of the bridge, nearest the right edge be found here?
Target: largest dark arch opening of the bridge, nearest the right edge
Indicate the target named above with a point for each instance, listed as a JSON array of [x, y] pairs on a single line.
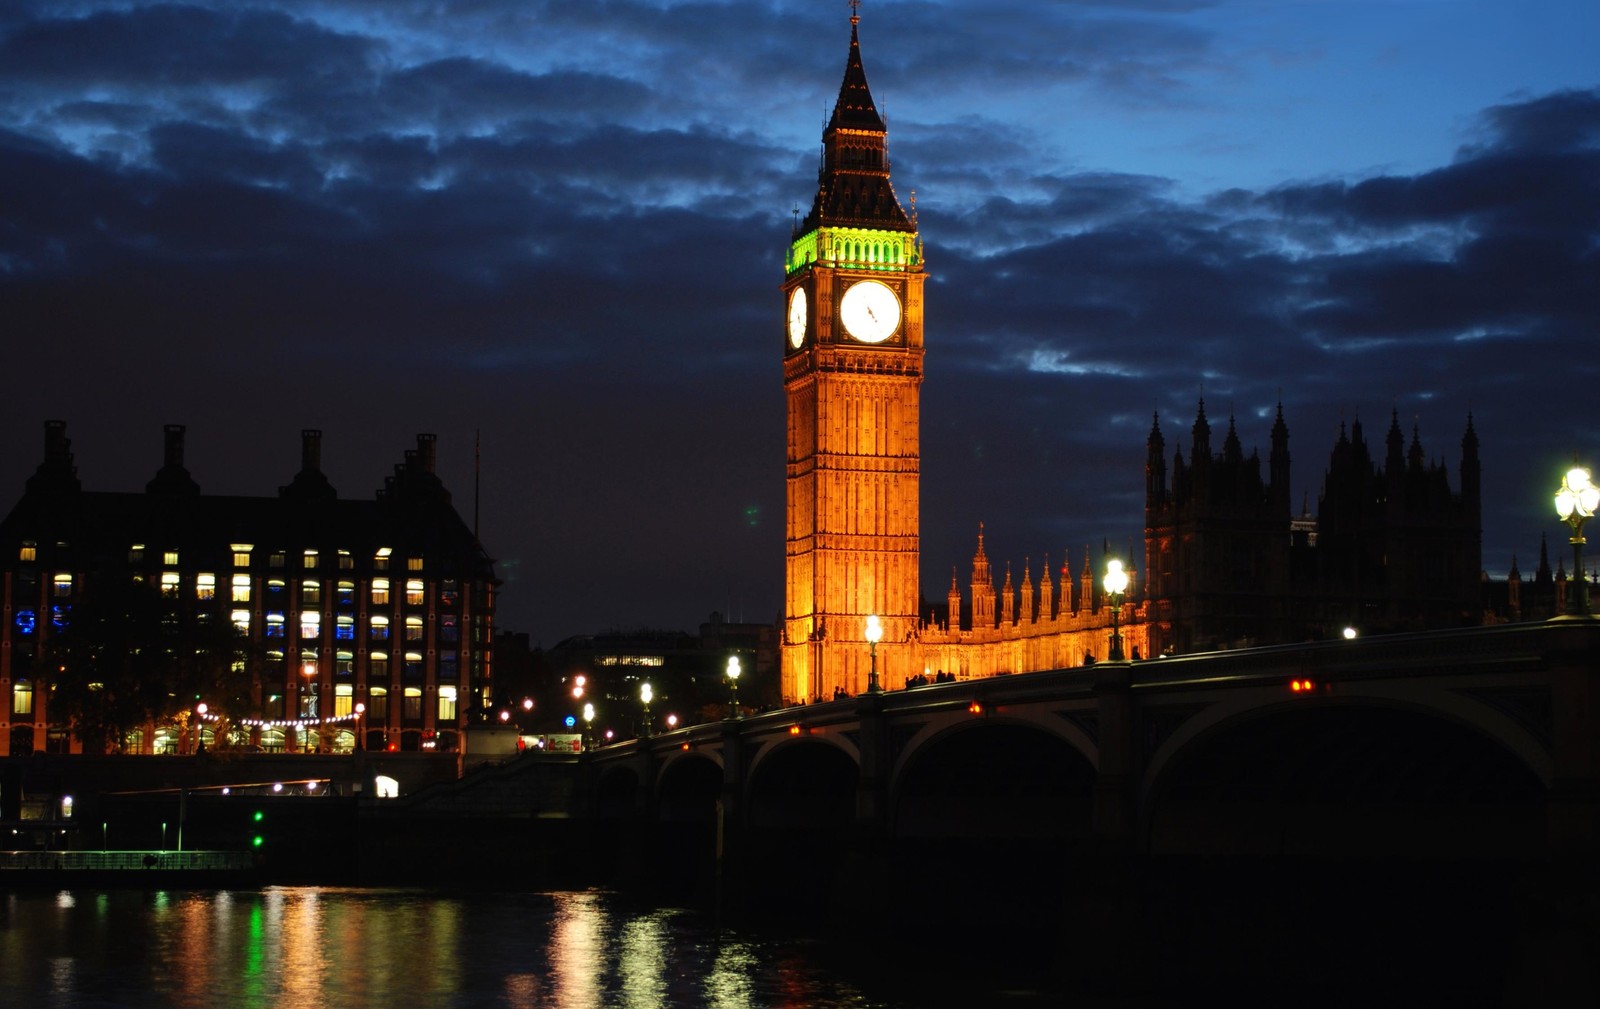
[[1369, 776]]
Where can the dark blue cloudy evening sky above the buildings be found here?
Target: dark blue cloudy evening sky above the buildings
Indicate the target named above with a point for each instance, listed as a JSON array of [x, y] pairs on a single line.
[[559, 228]]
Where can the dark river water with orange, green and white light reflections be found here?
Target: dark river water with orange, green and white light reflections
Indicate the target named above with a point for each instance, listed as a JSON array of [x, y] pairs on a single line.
[[313, 947]]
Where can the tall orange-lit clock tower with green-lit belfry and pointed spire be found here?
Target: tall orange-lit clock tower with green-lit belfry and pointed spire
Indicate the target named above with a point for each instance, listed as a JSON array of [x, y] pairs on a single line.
[[852, 378]]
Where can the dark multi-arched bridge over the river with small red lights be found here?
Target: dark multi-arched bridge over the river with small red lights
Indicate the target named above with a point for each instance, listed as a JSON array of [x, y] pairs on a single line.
[[1449, 772]]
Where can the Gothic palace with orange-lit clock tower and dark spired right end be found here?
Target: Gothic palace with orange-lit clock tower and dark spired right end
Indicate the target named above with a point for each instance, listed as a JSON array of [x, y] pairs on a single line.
[[1228, 559]]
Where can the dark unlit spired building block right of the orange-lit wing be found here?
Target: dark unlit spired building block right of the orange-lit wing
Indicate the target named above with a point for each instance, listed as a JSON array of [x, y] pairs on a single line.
[[1230, 564]]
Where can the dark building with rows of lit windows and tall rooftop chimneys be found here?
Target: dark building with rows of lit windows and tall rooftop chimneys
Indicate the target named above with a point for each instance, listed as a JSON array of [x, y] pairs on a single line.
[[353, 621]]
